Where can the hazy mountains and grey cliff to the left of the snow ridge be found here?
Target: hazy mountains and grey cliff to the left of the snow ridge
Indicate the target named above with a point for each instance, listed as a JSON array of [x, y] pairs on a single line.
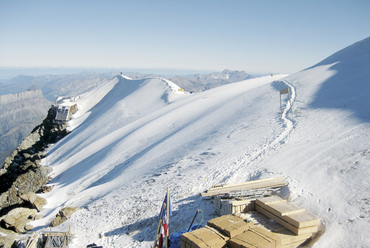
[[23, 105]]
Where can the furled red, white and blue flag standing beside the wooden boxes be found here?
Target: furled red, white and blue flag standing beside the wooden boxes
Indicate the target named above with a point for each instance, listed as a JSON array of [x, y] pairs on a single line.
[[164, 219]]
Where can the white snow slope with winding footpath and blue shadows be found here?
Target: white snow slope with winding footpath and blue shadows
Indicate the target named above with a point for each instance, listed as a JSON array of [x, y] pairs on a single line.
[[132, 139]]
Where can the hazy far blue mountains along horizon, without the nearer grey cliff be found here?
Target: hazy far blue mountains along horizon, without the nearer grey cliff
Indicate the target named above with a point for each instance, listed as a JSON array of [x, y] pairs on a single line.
[[76, 84]]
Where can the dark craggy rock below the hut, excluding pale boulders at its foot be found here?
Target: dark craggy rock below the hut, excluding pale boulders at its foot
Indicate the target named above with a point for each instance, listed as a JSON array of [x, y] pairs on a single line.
[[22, 172]]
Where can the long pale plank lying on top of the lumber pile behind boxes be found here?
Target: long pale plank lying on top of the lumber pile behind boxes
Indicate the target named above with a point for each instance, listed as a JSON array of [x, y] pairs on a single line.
[[257, 184]]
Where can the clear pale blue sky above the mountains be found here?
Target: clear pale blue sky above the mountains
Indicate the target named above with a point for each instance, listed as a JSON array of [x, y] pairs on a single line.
[[260, 36]]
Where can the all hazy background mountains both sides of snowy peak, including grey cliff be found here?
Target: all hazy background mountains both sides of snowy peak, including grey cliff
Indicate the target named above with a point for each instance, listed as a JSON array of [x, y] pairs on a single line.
[[24, 100]]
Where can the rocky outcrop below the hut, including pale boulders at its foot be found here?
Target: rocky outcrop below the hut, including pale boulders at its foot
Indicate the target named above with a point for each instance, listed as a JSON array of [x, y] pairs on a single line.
[[22, 175]]
